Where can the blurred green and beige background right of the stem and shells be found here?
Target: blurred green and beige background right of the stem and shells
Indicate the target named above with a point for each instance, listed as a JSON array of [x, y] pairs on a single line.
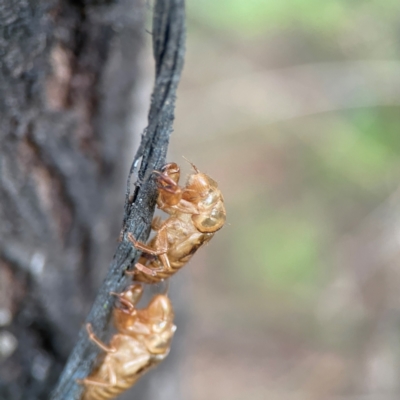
[[293, 107]]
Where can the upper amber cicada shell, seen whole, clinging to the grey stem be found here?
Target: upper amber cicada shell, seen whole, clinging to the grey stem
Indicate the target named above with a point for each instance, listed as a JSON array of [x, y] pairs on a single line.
[[196, 211]]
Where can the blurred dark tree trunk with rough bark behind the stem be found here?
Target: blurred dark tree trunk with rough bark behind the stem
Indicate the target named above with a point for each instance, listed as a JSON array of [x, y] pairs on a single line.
[[68, 68]]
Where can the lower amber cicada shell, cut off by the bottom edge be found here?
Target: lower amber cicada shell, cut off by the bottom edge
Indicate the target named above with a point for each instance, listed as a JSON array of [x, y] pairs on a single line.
[[143, 340]]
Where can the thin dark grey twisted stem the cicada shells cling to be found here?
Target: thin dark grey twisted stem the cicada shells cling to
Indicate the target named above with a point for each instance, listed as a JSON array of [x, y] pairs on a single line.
[[168, 45]]
